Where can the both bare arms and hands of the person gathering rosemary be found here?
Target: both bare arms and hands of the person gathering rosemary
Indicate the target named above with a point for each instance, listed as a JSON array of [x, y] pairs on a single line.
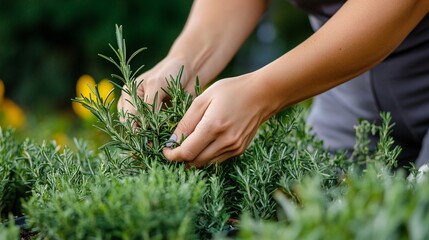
[[223, 120]]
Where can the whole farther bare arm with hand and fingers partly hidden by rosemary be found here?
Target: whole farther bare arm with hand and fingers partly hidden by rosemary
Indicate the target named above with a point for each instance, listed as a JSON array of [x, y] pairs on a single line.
[[213, 33]]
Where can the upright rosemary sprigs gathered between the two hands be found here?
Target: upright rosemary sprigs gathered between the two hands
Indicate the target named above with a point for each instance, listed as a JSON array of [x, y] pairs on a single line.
[[155, 125]]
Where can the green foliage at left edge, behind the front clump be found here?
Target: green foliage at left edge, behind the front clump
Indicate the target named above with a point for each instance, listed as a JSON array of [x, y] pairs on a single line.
[[27, 165]]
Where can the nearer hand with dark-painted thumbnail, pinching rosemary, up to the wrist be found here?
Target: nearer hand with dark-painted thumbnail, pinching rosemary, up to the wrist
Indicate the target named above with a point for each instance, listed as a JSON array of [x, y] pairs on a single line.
[[221, 122]]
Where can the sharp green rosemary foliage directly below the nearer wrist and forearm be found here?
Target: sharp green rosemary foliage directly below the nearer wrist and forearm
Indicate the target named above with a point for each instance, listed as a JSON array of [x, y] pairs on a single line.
[[282, 154]]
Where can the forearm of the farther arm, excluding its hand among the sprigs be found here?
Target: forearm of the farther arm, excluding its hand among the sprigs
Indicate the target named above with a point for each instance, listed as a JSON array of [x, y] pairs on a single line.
[[213, 33]]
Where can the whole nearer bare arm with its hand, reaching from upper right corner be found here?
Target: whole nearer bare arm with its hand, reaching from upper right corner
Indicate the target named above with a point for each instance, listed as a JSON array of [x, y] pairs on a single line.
[[223, 120]]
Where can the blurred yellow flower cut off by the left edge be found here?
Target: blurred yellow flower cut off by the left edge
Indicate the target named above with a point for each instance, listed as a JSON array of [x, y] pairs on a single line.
[[13, 115]]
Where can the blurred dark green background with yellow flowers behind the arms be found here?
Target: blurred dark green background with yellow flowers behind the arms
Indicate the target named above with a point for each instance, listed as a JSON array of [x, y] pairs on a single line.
[[47, 45]]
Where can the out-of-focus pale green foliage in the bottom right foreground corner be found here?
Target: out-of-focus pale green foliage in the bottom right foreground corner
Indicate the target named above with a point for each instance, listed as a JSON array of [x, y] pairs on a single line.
[[374, 204]]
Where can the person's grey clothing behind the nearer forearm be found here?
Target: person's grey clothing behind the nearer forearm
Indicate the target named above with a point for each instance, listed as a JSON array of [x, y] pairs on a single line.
[[399, 85]]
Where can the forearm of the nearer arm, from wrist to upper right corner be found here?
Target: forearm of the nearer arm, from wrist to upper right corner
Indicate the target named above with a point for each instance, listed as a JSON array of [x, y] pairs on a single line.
[[359, 36]]
